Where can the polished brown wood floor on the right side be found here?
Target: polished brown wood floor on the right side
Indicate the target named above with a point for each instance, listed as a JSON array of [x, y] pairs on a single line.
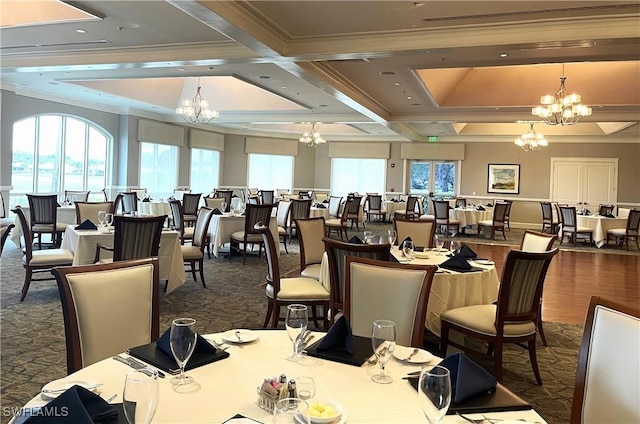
[[574, 277]]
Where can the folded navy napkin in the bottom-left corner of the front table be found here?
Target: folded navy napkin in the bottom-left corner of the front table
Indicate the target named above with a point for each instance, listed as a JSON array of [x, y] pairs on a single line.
[[76, 405]]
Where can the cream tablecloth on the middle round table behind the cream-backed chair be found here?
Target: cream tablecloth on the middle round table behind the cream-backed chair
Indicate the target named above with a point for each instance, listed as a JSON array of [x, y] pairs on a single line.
[[449, 290]]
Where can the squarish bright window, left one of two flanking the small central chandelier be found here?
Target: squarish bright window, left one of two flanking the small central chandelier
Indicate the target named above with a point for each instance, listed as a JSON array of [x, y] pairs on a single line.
[[270, 172]]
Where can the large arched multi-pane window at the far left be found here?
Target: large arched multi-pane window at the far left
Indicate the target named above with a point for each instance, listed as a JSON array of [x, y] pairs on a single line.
[[53, 153]]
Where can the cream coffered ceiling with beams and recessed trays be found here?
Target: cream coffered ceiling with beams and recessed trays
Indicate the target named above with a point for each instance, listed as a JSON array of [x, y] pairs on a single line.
[[367, 70]]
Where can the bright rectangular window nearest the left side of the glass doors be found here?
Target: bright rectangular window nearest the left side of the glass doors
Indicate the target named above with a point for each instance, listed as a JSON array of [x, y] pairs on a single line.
[[357, 175]]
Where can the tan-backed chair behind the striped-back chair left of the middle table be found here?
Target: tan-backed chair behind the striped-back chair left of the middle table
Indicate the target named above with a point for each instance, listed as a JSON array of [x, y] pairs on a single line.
[[310, 234]]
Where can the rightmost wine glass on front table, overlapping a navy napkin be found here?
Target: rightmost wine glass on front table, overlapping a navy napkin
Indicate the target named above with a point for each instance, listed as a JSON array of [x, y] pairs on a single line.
[[434, 392]]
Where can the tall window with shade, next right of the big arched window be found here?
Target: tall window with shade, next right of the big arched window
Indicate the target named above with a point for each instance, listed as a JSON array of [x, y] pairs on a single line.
[[158, 169]]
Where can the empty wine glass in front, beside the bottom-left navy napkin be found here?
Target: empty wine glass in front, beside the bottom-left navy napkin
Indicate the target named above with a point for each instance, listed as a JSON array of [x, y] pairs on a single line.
[[140, 396]]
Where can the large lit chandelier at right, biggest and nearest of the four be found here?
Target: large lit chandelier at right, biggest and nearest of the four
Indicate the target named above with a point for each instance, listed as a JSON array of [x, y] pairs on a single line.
[[562, 108]]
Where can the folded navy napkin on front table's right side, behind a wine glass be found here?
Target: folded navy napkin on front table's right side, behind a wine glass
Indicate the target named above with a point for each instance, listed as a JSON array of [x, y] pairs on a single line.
[[467, 377]]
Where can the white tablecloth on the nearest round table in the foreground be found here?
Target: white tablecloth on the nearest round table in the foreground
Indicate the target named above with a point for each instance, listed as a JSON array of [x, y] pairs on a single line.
[[228, 387]]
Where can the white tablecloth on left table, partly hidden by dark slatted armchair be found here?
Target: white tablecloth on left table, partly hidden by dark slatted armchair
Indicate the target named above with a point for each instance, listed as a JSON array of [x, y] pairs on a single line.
[[83, 245]]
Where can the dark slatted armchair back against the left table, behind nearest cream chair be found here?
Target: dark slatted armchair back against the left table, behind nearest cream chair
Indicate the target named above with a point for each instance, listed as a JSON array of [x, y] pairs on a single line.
[[134, 238]]
